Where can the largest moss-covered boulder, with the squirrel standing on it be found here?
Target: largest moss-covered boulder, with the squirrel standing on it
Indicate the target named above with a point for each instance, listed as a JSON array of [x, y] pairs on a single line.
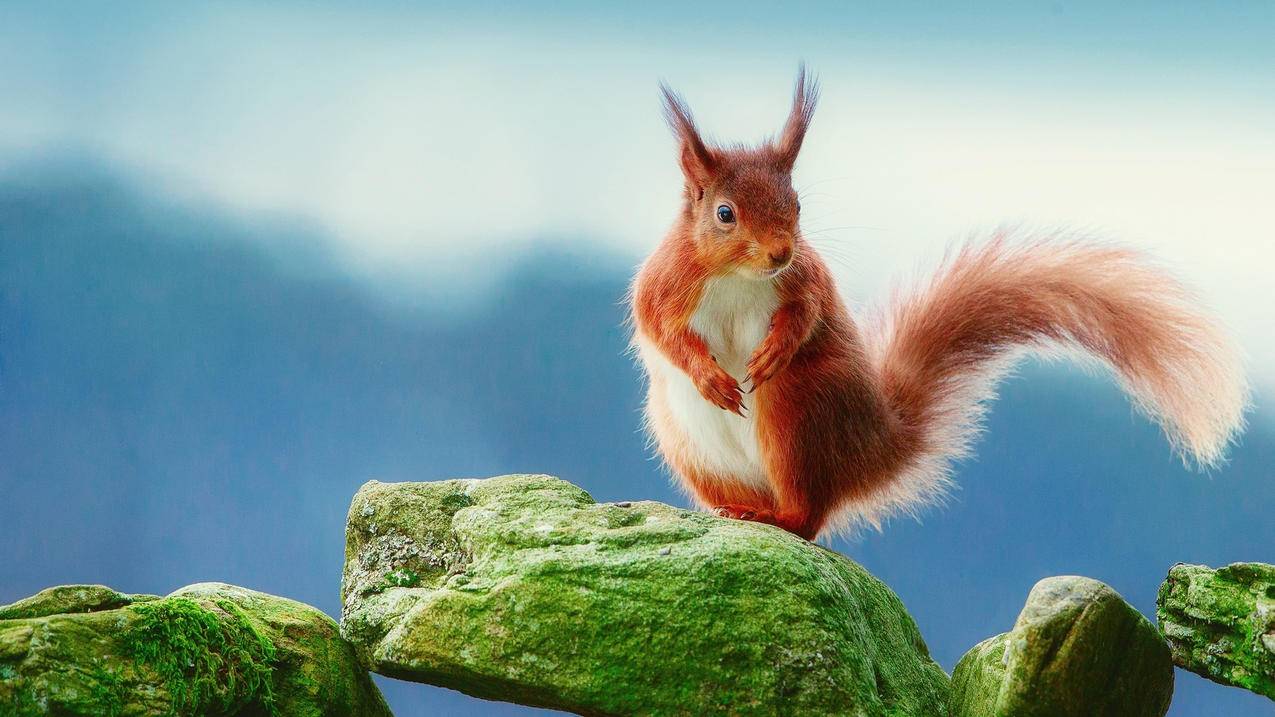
[[523, 589]]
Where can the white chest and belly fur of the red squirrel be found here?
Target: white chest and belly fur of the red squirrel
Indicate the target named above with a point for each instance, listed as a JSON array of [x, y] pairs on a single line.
[[734, 317]]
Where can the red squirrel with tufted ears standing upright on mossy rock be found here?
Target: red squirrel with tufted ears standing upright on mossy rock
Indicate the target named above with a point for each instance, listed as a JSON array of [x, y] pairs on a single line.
[[772, 404]]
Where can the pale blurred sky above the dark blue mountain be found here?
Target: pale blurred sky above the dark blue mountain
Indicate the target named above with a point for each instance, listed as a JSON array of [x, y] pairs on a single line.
[[437, 142]]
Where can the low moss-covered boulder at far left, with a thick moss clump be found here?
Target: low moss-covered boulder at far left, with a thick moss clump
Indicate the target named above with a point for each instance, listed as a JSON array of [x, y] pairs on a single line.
[[208, 649]]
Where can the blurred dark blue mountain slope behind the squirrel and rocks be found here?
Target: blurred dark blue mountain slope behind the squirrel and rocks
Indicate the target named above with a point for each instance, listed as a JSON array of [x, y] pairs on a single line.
[[187, 396]]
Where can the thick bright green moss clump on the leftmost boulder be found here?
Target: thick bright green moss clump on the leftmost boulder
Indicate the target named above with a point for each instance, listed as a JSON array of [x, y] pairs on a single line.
[[210, 664]]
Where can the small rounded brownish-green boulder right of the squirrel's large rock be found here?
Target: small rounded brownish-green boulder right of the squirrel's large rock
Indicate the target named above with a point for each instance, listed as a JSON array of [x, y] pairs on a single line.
[[1078, 650]]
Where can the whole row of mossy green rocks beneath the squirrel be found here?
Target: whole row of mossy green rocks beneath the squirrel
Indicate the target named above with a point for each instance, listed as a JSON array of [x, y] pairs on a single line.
[[523, 589]]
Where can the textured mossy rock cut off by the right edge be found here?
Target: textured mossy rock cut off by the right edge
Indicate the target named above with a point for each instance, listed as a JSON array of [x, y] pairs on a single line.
[[1222, 623]]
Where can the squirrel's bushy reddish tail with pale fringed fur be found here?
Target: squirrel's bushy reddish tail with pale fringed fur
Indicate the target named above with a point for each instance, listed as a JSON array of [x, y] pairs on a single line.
[[942, 350]]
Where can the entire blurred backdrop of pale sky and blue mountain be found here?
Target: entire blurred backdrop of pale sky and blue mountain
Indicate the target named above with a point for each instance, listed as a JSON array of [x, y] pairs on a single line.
[[252, 257]]
